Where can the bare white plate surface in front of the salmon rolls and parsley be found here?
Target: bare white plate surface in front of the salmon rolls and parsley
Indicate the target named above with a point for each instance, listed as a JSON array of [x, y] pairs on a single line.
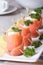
[[22, 58]]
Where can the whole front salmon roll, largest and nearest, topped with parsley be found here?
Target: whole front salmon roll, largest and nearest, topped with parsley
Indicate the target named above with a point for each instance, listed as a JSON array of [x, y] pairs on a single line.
[[14, 42]]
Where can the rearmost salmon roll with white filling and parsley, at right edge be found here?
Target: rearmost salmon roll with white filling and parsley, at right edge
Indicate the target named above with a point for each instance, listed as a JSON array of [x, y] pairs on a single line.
[[37, 17]]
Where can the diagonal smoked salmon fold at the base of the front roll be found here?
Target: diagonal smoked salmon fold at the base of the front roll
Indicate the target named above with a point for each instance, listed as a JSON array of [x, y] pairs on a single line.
[[17, 51]]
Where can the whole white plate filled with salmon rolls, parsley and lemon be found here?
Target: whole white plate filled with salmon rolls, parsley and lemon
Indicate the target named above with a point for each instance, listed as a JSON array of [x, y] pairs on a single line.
[[26, 33]]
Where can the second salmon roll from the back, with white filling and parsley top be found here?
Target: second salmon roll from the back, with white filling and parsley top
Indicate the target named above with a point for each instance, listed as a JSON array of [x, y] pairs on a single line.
[[32, 26]]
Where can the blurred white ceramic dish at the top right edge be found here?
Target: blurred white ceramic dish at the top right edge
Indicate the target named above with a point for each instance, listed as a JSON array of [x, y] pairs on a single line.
[[31, 3]]
